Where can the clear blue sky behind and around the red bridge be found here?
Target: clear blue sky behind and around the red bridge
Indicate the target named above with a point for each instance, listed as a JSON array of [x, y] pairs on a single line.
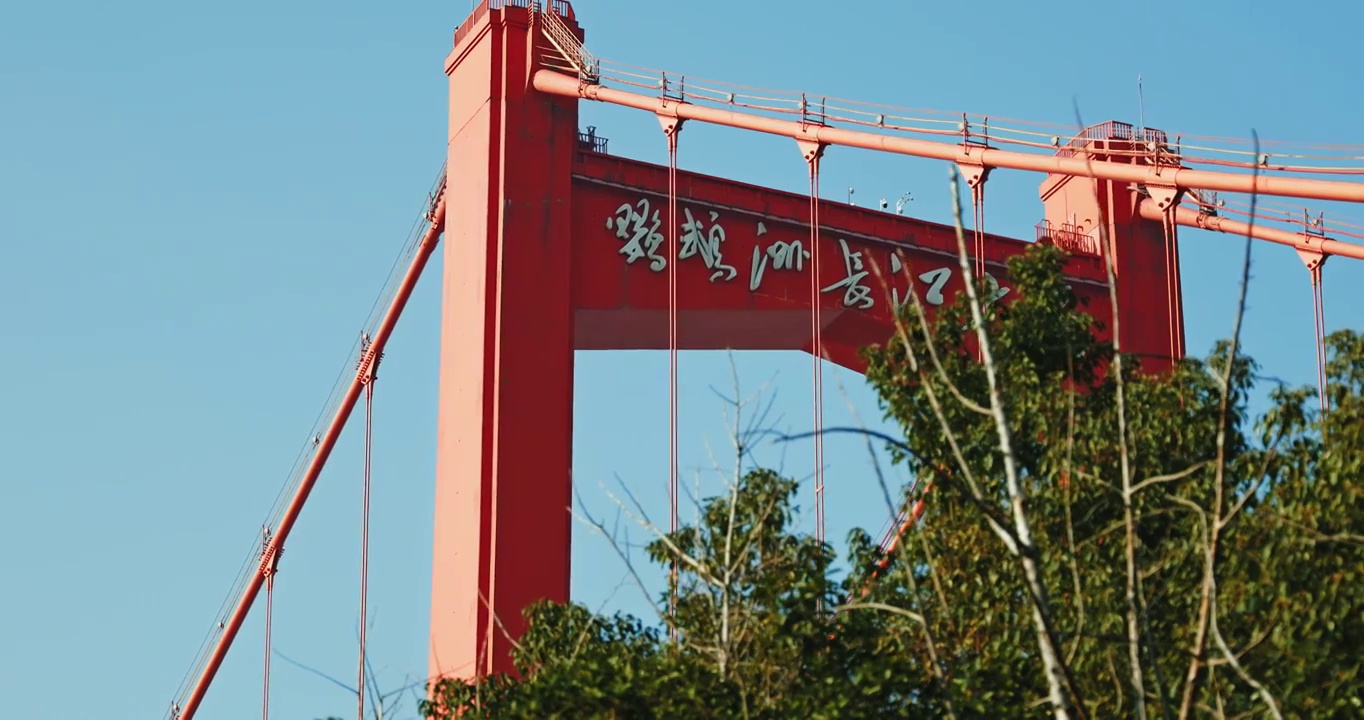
[[198, 204]]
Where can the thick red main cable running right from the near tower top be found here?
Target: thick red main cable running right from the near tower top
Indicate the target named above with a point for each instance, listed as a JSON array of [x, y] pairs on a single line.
[[557, 84]]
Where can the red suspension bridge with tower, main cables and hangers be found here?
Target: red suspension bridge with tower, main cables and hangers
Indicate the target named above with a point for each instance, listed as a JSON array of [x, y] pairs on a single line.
[[554, 245]]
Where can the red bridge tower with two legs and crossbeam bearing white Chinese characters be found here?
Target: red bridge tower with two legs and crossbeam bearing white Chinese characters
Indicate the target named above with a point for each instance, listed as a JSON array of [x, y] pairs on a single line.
[[554, 246]]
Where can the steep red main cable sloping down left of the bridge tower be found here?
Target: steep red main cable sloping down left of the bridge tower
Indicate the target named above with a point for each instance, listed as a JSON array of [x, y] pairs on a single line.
[[320, 459]]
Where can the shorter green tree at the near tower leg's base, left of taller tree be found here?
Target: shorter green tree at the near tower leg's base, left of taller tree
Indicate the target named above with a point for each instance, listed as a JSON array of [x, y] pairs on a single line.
[[755, 642]]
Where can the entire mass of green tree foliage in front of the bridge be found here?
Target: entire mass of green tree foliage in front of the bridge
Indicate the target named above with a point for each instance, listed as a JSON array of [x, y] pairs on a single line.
[[1242, 539]]
